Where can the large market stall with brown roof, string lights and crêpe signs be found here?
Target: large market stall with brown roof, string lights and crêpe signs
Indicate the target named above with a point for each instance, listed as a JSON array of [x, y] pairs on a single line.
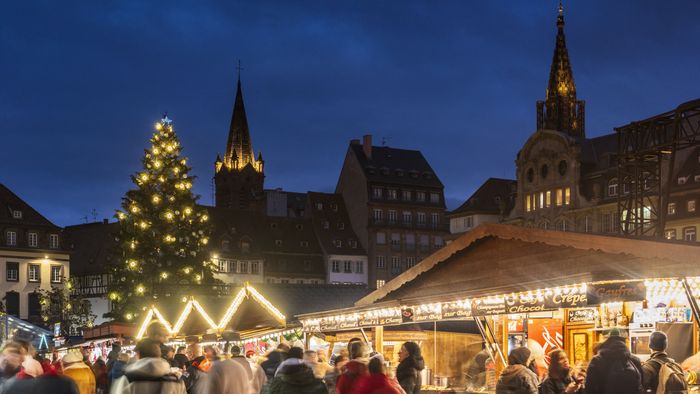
[[516, 286]]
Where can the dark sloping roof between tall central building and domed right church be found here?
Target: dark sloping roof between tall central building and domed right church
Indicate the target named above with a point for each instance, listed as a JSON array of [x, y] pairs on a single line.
[[493, 197]]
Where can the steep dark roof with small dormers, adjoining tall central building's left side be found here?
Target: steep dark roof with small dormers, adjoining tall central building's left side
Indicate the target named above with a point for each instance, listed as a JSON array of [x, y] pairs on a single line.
[[332, 223]]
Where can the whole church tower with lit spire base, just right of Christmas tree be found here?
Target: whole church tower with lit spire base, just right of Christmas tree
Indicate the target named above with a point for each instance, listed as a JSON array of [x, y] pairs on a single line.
[[239, 177]]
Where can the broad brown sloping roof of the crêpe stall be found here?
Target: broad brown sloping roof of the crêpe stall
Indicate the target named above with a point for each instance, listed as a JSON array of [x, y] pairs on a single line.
[[503, 258]]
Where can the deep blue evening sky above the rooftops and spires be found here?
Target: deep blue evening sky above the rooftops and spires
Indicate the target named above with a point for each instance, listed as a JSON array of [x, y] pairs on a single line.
[[83, 83]]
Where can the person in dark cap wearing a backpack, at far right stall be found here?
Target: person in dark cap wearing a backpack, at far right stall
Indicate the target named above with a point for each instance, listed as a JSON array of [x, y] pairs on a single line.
[[675, 380]]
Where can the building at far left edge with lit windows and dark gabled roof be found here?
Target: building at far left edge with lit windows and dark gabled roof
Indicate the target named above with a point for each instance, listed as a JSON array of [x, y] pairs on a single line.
[[32, 257]]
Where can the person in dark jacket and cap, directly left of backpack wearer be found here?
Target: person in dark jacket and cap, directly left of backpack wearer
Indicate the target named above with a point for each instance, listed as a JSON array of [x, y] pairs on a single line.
[[614, 370]]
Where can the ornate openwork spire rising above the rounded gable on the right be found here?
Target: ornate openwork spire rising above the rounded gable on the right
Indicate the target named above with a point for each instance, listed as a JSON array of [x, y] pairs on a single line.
[[561, 111]]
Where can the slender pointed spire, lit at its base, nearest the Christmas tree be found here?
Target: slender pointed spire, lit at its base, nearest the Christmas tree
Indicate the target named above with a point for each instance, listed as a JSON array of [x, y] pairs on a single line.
[[239, 144]]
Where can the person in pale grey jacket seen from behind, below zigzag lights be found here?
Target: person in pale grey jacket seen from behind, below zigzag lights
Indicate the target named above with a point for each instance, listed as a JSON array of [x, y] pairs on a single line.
[[150, 374]]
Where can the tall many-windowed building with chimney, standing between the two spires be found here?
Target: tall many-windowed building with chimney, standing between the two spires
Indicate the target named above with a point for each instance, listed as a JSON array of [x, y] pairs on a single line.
[[396, 206]]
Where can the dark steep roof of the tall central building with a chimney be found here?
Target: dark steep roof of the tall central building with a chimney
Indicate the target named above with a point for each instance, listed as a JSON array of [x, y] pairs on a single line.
[[396, 166]]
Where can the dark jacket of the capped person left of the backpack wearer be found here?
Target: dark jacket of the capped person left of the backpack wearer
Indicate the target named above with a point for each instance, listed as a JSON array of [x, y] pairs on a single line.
[[600, 378]]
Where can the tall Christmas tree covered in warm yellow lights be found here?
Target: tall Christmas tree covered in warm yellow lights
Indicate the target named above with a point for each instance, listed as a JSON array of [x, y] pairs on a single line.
[[163, 233]]
